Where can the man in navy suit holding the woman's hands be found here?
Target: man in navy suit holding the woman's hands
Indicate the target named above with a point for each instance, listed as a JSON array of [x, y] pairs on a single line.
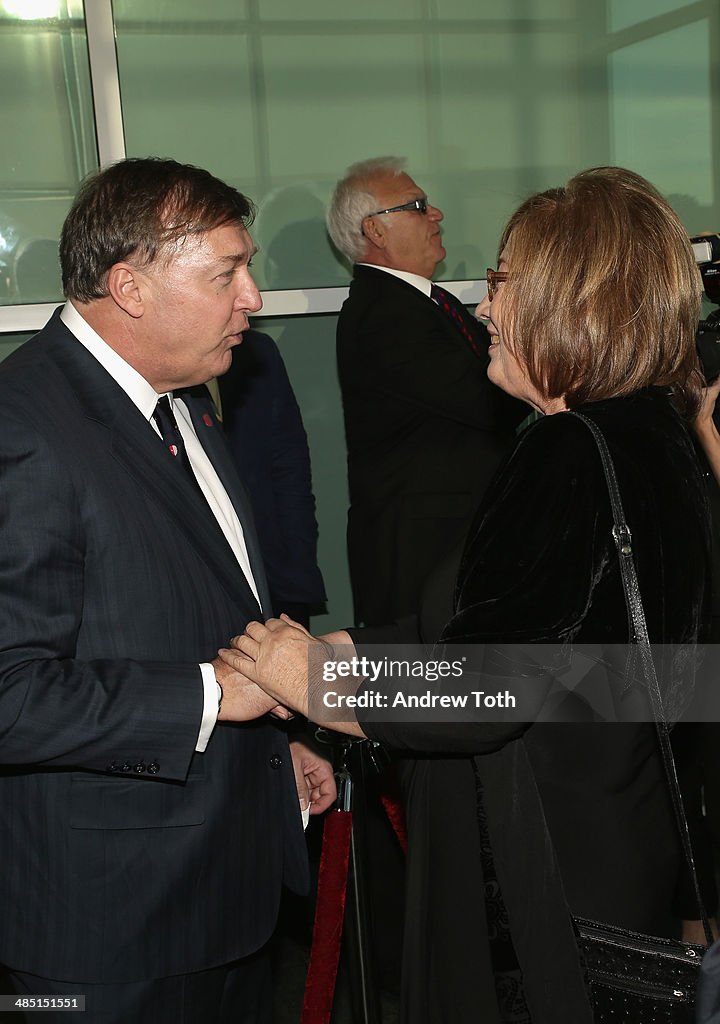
[[149, 814]]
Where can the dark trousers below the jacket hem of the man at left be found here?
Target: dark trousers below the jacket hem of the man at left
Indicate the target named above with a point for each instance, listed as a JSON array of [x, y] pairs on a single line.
[[234, 994]]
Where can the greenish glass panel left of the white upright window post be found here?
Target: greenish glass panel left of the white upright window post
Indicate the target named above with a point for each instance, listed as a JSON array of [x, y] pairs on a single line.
[[48, 127]]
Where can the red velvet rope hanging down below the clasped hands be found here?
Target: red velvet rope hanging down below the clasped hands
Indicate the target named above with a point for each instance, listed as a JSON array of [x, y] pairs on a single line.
[[330, 909]]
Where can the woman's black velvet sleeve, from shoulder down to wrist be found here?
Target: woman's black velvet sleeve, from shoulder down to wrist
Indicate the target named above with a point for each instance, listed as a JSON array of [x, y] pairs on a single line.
[[540, 544]]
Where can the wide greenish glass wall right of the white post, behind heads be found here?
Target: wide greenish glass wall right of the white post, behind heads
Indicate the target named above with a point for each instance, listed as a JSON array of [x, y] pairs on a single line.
[[488, 102]]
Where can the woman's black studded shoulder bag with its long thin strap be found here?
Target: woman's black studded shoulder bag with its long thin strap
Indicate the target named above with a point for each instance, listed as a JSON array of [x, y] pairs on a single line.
[[641, 978]]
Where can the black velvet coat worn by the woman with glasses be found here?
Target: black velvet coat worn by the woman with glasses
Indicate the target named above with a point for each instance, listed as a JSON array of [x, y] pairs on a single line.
[[540, 566]]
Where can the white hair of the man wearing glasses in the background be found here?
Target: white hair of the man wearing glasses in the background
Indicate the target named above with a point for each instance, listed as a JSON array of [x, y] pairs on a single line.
[[353, 202]]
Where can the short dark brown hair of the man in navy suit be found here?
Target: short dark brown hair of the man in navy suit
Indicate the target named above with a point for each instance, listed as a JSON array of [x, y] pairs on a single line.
[[140, 208]]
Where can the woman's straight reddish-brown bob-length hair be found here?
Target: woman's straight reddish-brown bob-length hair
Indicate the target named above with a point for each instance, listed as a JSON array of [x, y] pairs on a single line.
[[604, 293]]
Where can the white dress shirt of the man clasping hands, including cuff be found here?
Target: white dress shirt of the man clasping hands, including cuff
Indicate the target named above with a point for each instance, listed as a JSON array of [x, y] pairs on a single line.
[[146, 399]]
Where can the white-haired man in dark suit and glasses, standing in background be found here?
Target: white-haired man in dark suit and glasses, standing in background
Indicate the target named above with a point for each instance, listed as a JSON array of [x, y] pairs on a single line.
[[426, 429]]
